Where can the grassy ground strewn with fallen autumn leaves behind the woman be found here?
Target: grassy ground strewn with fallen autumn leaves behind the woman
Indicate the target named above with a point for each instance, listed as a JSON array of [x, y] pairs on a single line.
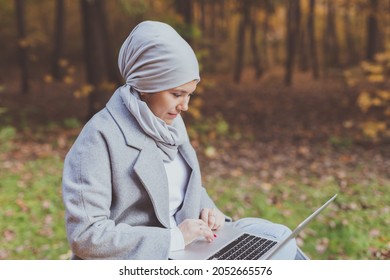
[[265, 150]]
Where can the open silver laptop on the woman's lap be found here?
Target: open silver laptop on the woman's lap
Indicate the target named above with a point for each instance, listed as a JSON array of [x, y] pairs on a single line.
[[232, 243]]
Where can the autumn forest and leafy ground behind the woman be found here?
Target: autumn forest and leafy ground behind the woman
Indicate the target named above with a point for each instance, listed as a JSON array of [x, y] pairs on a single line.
[[293, 106]]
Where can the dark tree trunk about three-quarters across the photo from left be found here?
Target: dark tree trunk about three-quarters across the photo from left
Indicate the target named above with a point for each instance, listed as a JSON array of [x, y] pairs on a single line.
[[293, 18]]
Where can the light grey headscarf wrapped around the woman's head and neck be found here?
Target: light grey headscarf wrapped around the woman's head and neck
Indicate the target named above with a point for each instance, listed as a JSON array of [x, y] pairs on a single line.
[[155, 58]]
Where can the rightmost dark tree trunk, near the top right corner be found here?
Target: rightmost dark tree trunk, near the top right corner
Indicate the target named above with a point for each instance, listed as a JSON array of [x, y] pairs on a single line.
[[372, 30]]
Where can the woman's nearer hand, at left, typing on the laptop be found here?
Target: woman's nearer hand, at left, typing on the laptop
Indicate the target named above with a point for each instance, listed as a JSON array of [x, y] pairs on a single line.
[[193, 228]]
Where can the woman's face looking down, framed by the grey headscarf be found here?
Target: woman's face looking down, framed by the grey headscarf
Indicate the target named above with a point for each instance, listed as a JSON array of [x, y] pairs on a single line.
[[168, 104]]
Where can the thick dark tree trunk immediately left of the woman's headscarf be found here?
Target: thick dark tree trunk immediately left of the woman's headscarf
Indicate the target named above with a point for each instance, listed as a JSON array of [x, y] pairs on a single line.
[[94, 53]]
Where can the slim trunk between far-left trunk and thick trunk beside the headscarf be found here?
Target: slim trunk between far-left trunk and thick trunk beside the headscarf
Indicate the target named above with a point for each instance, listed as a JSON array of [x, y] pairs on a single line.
[[58, 39]]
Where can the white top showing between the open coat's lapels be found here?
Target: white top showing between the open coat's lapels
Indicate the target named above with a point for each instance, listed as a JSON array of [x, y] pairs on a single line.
[[178, 174]]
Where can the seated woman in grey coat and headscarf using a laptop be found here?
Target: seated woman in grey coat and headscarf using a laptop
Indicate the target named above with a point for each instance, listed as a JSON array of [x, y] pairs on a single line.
[[131, 182]]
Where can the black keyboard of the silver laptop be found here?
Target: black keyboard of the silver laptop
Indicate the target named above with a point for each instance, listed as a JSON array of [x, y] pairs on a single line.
[[245, 247]]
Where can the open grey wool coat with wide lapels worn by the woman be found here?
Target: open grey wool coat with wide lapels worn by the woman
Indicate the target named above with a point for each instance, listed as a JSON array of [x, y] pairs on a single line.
[[115, 189]]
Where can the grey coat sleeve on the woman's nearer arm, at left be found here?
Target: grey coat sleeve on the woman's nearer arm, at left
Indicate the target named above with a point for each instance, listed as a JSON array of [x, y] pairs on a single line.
[[87, 196]]
